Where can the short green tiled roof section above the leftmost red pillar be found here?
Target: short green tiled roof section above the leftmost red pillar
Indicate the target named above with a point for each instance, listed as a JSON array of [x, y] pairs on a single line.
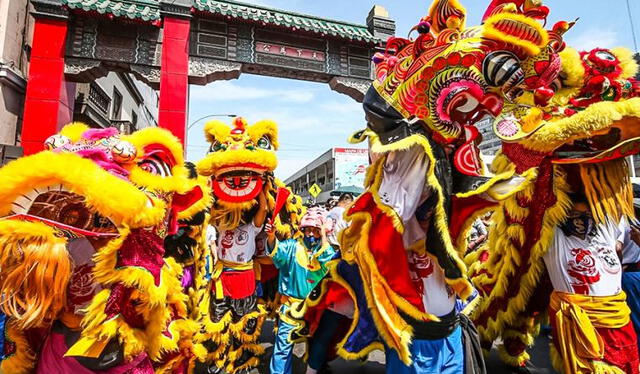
[[146, 10]]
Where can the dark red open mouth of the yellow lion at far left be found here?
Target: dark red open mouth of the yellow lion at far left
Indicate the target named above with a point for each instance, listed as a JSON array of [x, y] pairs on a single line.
[[66, 211]]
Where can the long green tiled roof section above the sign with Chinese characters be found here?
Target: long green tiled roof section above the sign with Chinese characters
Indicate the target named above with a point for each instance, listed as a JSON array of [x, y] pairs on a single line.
[[283, 18]]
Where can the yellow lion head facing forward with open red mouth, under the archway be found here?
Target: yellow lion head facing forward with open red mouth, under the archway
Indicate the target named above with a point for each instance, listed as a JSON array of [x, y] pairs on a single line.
[[240, 165]]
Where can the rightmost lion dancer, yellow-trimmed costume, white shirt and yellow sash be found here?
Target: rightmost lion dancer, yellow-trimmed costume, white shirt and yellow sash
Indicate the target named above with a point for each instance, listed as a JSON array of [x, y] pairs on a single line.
[[553, 243]]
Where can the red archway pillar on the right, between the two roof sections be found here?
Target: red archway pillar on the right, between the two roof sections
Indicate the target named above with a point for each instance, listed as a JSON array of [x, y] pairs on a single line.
[[174, 76]]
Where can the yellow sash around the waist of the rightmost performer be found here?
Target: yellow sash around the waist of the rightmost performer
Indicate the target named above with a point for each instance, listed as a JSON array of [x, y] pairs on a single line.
[[577, 317]]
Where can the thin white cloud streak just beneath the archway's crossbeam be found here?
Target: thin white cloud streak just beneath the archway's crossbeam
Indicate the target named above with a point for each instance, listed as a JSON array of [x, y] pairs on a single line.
[[230, 91]]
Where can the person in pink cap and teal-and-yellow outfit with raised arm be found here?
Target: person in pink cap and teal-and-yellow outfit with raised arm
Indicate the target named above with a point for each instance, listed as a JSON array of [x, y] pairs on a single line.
[[302, 263]]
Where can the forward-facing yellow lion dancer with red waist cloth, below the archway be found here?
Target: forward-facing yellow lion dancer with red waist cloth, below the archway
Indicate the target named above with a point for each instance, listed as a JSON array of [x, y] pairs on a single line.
[[240, 165]]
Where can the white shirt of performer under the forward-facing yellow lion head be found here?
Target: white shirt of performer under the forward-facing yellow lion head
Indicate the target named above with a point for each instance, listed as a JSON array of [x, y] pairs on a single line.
[[238, 245]]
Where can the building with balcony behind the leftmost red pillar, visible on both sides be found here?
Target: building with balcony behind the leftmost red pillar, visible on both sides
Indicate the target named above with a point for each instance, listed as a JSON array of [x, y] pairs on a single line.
[[117, 99]]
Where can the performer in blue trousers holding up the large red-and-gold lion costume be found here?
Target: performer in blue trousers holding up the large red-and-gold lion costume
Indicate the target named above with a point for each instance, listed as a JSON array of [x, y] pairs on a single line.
[[401, 265]]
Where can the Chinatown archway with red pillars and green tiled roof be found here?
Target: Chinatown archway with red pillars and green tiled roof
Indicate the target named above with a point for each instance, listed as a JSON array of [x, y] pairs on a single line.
[[170, 44]]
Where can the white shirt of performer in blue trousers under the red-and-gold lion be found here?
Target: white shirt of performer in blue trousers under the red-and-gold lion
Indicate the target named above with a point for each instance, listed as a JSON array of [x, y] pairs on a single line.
[[404, 189]]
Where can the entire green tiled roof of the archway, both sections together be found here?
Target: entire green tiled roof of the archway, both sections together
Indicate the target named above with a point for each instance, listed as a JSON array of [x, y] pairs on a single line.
[[149, 10]]
